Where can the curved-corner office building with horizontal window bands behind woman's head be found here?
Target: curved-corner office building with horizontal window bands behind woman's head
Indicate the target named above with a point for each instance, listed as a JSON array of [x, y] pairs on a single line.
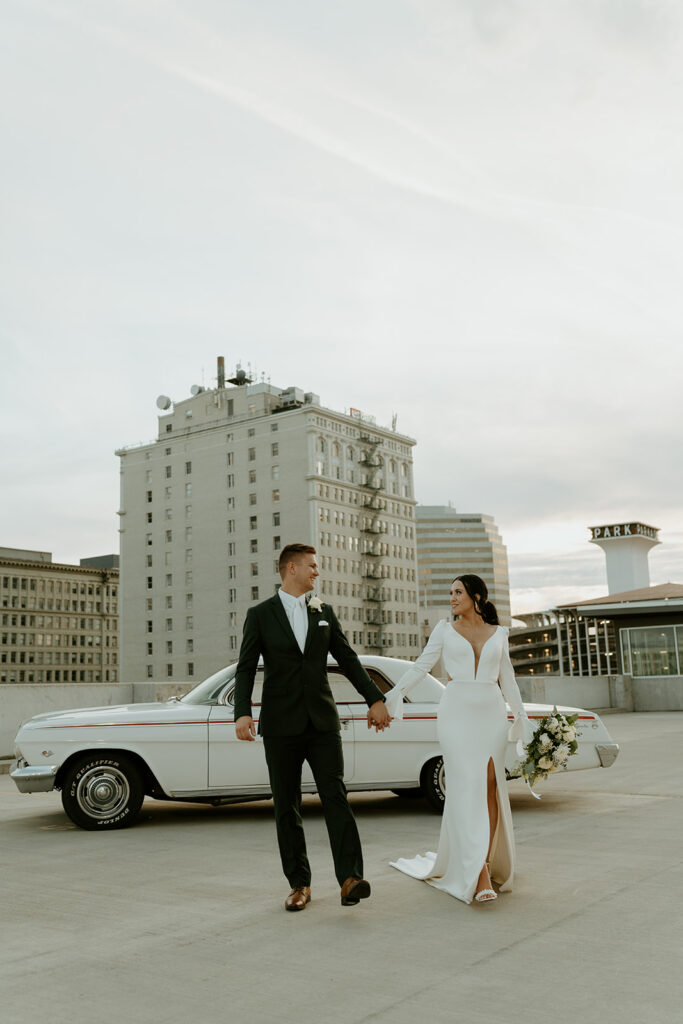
[[451, 542]]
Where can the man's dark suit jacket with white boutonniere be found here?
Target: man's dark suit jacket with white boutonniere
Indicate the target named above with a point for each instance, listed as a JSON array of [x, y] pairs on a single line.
[[296, 690]]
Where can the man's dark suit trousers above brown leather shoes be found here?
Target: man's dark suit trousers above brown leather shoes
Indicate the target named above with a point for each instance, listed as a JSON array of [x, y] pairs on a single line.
[[285, 757]]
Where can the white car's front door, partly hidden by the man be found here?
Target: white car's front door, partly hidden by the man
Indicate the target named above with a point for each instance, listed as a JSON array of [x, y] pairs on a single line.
[[236, 766]]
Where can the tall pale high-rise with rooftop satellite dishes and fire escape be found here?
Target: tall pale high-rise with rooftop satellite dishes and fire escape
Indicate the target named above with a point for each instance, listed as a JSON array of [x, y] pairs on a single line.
[[236, 474]]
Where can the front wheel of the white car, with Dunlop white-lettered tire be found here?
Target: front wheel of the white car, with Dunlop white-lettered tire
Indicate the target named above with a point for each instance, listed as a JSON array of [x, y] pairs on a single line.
[[103, 793]]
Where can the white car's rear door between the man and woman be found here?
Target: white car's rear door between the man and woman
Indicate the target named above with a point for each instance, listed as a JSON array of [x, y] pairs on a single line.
[[397, 755]]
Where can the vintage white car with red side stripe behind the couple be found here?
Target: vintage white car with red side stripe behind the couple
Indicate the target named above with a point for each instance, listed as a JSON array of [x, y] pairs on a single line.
[[106, 760]]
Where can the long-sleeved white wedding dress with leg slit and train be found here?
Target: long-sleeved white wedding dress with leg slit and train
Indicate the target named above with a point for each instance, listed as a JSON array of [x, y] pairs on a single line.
[[473, 729]]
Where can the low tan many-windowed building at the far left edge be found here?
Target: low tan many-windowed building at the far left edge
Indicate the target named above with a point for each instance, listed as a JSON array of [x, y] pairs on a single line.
[[60, 623]]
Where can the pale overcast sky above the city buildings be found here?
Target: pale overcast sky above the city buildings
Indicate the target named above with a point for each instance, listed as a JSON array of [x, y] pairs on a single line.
[[466, 212]]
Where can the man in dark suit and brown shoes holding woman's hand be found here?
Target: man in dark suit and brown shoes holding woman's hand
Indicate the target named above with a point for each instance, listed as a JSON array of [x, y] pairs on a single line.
[[300, 721]]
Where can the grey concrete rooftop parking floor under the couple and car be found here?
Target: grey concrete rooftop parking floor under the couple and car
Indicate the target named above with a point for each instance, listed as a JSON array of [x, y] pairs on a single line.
[[181, 918]]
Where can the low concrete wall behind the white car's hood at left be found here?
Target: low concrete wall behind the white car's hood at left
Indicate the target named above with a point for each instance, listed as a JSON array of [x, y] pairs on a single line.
[[22, 701]]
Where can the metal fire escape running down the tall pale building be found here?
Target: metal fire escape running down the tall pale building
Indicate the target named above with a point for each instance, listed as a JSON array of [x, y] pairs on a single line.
[[373, 548]]
